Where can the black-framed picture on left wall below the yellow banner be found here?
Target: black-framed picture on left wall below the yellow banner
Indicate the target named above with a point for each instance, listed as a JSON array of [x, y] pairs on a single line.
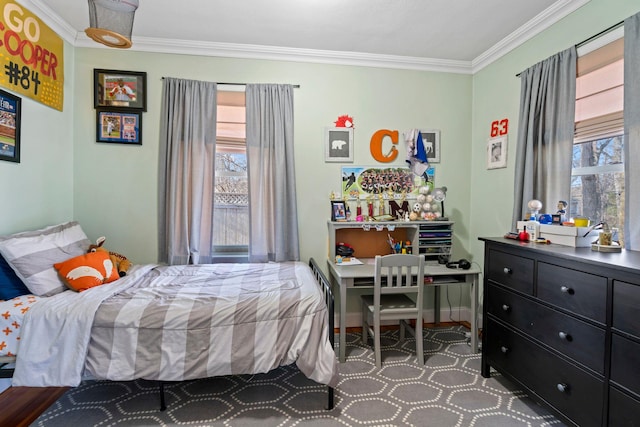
[[10, 127]]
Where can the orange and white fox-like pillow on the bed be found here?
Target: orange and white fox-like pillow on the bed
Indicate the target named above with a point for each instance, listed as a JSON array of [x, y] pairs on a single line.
[[88, 270]]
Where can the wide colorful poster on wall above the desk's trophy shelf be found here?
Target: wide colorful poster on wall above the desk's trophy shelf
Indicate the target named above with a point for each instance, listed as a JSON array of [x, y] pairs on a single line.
[[362, 182]]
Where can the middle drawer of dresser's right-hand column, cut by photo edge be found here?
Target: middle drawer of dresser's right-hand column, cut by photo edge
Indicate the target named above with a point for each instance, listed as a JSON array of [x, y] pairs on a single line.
[[625, 363]]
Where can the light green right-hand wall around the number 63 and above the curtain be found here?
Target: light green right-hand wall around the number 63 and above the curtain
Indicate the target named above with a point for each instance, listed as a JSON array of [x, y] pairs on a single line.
[[496, 95]]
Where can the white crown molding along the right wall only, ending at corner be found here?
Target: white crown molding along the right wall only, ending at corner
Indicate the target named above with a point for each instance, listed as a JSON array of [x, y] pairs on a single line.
[[538, 24]]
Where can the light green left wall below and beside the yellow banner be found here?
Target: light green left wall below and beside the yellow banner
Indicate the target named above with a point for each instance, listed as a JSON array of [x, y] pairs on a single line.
[[38, 191]]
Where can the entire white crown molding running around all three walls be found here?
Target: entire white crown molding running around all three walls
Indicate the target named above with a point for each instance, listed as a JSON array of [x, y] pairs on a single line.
[[542, 21]]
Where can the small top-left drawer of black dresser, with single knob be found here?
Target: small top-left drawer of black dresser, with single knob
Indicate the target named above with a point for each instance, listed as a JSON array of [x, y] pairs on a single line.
[[510, 270]]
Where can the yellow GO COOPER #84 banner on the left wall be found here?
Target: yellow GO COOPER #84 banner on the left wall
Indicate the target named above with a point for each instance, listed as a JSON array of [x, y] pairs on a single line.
[[31, 56]]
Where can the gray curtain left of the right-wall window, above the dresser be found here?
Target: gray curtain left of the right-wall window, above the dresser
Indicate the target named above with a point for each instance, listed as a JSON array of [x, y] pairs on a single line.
[[545, 133]]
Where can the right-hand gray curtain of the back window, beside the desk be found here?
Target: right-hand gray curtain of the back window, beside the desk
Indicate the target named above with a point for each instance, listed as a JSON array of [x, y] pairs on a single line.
[[273, 230]]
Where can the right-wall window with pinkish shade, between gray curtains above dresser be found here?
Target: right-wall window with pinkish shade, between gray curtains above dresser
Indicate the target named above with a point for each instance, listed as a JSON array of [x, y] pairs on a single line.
[[597, 172]]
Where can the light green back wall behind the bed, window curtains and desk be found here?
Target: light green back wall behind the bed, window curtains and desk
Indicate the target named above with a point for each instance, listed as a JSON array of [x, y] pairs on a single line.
[[116, 185]]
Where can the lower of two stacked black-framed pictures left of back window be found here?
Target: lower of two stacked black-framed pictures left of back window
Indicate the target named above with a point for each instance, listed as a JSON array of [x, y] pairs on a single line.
[[119, 127]]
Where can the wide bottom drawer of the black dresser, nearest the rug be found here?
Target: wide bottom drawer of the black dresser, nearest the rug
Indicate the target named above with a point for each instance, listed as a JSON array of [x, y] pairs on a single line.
[[562, 385]]
